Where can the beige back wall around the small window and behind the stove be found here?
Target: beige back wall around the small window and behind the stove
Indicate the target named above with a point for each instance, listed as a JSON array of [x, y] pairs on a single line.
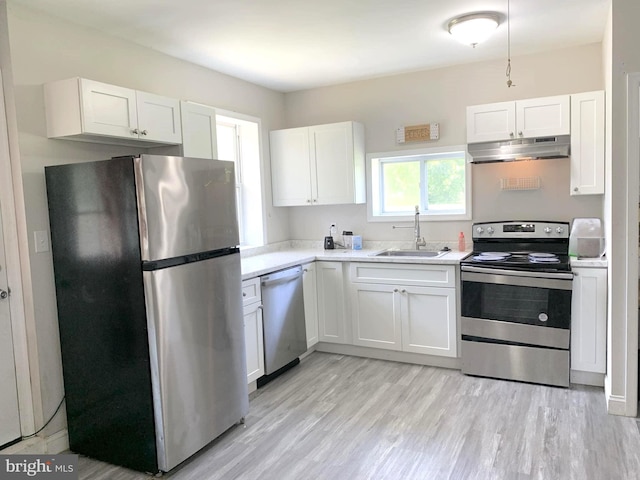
[[442, 96]]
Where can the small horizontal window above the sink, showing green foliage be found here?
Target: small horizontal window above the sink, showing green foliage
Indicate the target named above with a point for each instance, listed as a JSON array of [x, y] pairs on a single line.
[[437, 180]]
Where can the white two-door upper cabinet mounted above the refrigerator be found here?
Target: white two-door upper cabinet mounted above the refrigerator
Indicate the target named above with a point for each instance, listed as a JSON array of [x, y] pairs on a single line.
[[85, 110]]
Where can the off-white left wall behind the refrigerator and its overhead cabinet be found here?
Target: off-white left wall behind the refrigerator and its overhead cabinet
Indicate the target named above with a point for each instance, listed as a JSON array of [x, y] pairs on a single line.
[[44, 49]]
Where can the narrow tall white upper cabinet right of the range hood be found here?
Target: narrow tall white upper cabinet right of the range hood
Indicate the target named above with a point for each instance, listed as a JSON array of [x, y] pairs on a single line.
[[587, 143]]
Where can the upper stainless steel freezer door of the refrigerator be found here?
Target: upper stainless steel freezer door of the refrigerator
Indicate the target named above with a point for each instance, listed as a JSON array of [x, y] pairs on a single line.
[[185, 205]]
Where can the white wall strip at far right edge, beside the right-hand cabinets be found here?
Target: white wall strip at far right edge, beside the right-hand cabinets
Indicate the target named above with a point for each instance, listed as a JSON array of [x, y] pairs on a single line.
[[622, 208]]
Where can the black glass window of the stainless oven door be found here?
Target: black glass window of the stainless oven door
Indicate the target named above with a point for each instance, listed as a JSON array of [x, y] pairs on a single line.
[[517, 304]]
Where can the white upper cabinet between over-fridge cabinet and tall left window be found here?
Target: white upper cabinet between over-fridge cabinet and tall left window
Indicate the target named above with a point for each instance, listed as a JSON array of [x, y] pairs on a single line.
[[198, 130]]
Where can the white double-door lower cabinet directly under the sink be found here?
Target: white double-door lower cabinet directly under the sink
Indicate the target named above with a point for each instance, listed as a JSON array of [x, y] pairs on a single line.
[[406, 315]]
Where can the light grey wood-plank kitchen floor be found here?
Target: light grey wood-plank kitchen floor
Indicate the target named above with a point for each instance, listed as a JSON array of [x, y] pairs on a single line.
[[339, 417]]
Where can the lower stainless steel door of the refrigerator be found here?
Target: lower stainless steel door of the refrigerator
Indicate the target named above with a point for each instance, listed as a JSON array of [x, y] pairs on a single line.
[[198, 365]]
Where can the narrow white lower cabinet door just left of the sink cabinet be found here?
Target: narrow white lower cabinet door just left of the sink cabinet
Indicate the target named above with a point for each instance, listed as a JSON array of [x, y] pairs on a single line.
[[331, 309]]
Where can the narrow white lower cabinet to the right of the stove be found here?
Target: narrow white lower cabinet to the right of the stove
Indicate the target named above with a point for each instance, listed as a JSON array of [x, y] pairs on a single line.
[[589, 320]]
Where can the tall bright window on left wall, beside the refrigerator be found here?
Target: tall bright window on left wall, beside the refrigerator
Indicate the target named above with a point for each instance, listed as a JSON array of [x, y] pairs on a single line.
[[239, 141]]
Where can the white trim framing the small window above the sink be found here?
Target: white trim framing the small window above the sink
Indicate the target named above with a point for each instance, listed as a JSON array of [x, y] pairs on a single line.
[[426, 217]]
